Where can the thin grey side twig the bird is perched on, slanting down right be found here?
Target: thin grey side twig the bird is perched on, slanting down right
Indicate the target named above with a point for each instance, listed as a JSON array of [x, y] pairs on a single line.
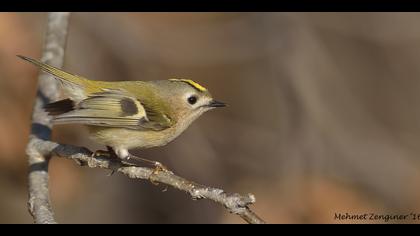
[[234, 202]]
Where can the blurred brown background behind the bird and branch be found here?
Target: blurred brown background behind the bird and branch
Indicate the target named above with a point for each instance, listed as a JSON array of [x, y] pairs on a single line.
[[323, 114]]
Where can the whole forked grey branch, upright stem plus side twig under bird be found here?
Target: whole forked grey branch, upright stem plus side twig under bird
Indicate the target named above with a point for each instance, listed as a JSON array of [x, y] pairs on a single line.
[[40, 149]]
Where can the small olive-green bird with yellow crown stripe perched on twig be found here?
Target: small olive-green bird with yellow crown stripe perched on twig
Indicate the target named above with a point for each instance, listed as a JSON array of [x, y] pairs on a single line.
[[128, 114]]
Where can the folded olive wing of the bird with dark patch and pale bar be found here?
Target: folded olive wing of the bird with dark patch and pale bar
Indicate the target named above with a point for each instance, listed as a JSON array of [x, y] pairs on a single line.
[[112, 108]]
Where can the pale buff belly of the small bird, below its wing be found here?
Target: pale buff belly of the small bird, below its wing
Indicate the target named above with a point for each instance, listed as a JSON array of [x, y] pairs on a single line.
[[128, 138]]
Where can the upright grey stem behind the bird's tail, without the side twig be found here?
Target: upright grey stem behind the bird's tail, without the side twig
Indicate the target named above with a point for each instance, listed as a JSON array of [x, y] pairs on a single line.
[[53, 54]]
